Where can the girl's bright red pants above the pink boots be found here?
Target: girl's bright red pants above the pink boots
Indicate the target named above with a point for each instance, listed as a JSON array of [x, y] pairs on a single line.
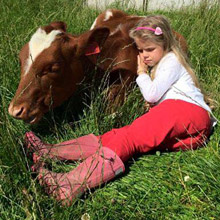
[[172, 125]]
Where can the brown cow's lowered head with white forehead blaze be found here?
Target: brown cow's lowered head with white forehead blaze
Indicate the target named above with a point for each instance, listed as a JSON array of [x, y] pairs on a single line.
[[51, 68]]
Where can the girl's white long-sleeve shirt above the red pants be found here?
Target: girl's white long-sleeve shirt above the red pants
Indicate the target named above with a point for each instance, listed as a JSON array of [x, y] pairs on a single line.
[[172, 81]]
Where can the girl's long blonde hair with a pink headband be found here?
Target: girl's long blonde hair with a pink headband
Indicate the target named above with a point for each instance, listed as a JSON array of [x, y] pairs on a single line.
[[166, 40]]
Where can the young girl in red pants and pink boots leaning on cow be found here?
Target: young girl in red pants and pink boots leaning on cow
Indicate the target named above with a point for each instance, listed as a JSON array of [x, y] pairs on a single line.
[[179, 119]]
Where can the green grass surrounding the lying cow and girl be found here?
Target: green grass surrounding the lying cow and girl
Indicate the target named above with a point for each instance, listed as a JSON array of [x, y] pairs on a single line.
[[153, 186]]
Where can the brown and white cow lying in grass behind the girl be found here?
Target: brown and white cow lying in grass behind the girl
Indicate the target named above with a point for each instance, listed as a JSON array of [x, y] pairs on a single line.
[[53, 62]]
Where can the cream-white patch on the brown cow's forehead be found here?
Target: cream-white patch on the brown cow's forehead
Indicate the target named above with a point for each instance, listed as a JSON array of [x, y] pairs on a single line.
[[39, 42]]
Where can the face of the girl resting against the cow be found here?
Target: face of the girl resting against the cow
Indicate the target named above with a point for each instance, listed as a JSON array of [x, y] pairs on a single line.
[[150, 53]]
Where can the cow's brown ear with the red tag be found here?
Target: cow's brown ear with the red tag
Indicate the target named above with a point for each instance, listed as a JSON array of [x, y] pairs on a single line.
[[92, 41]]
